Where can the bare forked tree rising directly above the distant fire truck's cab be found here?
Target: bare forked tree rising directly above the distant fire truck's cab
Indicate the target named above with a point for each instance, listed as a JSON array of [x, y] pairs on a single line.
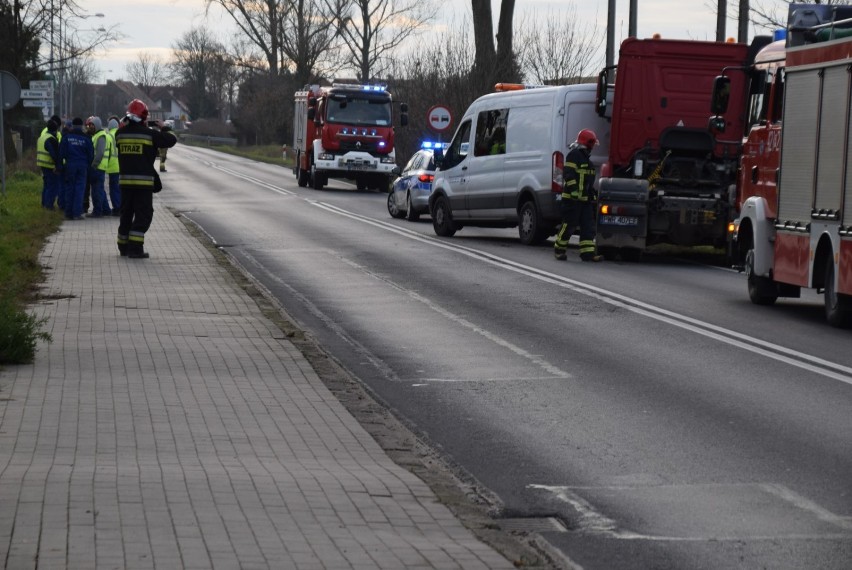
[[371, 30]]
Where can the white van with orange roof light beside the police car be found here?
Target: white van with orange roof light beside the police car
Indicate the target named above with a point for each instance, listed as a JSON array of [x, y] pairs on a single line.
[[503, 167]]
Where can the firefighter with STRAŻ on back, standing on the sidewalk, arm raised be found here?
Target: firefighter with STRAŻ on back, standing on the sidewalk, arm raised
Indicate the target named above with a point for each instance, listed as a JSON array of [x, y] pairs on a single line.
[[138, 146]]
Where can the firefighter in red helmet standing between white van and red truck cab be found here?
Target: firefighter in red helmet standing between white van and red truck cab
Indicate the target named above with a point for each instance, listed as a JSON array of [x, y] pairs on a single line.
[[579, 198]]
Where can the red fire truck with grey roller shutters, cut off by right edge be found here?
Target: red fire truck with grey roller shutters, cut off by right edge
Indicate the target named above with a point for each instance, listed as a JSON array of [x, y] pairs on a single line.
[[795, 186]]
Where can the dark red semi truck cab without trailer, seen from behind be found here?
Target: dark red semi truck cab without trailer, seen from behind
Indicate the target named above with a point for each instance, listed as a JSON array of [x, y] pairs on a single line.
[[669, 178]]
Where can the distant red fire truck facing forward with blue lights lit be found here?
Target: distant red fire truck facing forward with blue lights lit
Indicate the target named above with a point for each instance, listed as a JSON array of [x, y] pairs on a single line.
[[345, 131]]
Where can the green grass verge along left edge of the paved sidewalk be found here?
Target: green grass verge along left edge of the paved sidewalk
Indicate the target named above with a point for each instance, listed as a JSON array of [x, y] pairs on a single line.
[[24, 228]]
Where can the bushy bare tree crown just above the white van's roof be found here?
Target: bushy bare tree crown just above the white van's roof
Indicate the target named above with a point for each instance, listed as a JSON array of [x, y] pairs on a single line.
[[557, 49]]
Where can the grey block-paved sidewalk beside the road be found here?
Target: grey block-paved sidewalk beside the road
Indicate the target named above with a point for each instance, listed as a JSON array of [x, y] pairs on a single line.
[[171, 425]]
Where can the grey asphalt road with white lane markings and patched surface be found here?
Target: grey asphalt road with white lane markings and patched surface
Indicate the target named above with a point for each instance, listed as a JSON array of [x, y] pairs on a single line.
[[636, 415]]
